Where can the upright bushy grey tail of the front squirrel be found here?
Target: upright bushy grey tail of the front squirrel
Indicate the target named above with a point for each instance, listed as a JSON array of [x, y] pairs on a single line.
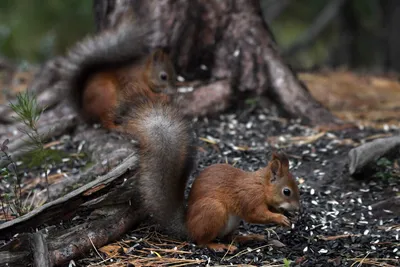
[[167, 157]]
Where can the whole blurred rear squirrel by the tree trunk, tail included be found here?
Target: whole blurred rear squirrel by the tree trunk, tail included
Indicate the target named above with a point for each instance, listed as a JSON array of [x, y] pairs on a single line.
[[115, 67]]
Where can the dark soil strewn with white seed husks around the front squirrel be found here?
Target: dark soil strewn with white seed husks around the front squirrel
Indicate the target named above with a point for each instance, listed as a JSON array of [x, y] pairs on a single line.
[[338, 226]]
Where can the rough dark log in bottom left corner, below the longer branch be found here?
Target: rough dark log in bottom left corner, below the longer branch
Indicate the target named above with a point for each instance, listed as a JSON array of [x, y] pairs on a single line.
[[61, 246]]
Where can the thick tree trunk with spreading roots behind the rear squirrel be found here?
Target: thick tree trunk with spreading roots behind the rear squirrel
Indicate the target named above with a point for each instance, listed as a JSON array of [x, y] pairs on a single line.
[[225, 44]]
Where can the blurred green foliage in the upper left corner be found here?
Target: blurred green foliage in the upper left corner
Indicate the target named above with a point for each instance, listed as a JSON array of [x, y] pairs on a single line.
[[36, 30]]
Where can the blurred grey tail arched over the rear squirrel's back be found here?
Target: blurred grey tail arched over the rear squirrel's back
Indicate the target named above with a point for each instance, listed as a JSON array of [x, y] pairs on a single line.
[[110, 49]]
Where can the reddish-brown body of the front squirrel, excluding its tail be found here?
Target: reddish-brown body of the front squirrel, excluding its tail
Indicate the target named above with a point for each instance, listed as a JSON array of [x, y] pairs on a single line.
[[222, 195]]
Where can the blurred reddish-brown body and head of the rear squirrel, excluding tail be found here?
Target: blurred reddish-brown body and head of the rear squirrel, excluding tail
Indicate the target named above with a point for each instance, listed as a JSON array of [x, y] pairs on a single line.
[[105, 91]]
